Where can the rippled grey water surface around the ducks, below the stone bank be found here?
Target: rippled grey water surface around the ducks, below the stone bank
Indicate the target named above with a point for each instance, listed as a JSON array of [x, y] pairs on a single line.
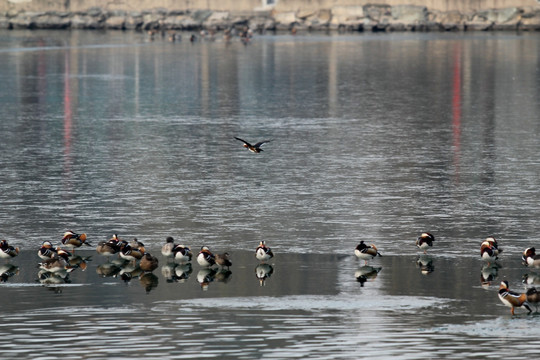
[[375, 138]]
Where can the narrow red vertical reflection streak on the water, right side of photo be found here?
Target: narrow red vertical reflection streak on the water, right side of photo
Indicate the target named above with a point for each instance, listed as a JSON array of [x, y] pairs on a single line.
[[456, 109]]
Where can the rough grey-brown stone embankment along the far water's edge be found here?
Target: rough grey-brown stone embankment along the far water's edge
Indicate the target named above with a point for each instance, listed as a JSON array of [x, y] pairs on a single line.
[[339, 18]]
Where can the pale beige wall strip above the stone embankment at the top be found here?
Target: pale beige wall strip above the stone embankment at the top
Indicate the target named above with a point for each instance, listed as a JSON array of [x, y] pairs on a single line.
[[250, 5]]
